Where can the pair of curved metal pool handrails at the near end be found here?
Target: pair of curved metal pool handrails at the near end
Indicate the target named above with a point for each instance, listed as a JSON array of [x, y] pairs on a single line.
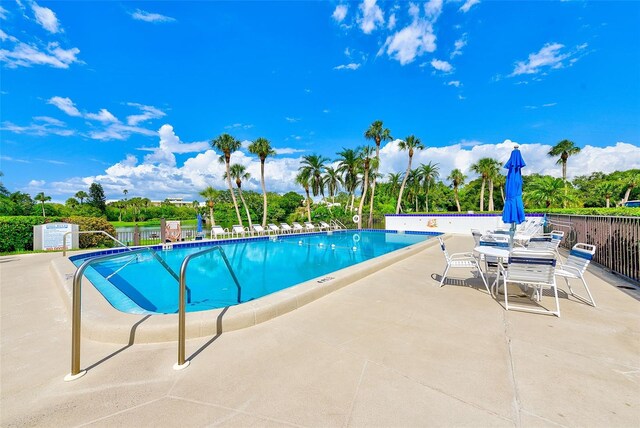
[[184, 291]]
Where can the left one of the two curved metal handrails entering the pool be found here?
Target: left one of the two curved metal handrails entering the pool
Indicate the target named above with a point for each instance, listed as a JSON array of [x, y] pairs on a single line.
[[77, 305]]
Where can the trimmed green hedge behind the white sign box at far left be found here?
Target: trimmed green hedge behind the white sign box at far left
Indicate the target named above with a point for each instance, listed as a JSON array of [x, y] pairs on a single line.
[[16, 232]]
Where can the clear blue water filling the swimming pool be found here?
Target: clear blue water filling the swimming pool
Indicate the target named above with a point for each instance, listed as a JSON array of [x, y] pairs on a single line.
[[262, 266]]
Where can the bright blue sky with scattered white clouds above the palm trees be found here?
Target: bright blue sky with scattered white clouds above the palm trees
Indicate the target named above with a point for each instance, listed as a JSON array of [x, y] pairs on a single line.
[[128, 94]]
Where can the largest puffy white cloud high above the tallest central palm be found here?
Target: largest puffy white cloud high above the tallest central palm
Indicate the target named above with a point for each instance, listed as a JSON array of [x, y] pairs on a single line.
[[411, 41]]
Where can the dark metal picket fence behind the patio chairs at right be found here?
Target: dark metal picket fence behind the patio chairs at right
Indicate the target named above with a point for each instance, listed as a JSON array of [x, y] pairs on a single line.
[[617, 240]]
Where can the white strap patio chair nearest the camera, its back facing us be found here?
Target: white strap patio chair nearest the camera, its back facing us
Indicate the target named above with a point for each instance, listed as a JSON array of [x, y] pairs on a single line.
[[532, 269]]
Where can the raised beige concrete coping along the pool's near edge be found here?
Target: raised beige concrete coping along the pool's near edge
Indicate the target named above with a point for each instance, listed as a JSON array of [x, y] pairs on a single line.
[[103, 323]]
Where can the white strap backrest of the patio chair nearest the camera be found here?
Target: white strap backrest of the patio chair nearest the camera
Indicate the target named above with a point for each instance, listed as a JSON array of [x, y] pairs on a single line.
[[532, 266]]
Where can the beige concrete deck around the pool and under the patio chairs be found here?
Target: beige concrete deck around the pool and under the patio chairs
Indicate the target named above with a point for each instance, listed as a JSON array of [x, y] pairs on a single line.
[[391, 349]]
